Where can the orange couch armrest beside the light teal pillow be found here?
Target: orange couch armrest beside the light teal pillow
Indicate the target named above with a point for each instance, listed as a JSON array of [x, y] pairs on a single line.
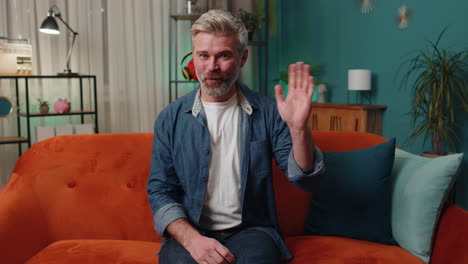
[[451, 241]]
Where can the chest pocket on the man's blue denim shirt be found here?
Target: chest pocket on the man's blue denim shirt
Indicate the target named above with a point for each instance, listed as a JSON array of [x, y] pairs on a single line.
[[260, 156]]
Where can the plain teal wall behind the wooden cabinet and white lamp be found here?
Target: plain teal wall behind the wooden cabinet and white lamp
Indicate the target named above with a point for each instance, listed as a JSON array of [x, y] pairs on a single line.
[[339, 37]]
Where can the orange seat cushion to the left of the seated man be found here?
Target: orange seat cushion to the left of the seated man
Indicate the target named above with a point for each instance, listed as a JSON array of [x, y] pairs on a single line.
[[98, 251]]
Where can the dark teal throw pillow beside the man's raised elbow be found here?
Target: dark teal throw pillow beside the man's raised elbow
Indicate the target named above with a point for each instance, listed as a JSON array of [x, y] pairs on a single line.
[[353, 198]]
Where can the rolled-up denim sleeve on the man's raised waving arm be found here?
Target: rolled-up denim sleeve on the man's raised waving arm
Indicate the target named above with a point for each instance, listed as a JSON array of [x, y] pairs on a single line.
[[307, 180]]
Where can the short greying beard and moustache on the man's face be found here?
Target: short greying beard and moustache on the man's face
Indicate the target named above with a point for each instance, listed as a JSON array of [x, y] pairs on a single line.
[[218, 90]]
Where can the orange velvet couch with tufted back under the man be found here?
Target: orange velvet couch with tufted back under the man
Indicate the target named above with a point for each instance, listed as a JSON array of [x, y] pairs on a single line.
[[82, 199]]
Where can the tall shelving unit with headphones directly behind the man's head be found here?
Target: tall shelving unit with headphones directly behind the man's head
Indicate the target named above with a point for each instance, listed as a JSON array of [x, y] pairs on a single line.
[[176, 80]]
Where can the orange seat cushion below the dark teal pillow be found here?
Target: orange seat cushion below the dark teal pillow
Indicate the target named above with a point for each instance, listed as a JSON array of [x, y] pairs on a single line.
[[338, 250]]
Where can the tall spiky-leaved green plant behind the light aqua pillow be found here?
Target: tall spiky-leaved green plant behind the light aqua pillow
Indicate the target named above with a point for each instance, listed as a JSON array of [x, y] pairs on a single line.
[[438, 81]]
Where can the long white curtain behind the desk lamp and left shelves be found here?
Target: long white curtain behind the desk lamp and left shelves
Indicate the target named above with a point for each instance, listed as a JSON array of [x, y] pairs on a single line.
[[122, 42]]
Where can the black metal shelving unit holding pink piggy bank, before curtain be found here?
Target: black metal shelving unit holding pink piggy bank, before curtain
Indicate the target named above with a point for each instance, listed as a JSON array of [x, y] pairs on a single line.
[[27, 114]]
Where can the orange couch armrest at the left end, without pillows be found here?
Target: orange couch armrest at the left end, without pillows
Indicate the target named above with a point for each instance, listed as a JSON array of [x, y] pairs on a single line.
[[23, 231]]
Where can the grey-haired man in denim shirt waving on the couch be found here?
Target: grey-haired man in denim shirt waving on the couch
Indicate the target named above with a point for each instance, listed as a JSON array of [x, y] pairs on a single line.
[[210, 184]]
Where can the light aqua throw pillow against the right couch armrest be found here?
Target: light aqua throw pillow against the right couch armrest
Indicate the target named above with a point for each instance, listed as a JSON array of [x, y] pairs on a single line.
[[420, 187]]
